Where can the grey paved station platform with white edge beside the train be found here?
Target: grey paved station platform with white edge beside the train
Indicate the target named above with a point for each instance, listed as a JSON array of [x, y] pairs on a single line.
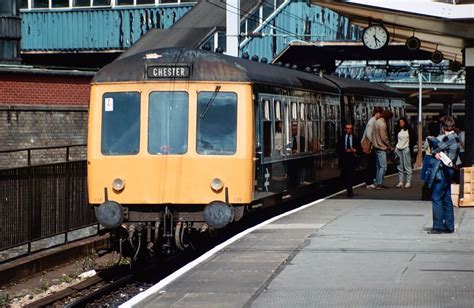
[[360, 252]]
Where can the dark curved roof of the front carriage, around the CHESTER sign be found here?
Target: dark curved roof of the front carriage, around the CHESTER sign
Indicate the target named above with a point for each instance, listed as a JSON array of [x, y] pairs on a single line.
[[209, 66]]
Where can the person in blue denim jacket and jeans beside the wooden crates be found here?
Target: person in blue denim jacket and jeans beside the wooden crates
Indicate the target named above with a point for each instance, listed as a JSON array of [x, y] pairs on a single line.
[[443, 213]]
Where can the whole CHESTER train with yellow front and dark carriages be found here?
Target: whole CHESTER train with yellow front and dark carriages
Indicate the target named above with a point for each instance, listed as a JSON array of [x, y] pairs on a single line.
[[186, 140]]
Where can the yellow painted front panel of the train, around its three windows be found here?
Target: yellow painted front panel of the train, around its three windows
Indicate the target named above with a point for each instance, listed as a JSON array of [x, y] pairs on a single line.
[[172, 179]]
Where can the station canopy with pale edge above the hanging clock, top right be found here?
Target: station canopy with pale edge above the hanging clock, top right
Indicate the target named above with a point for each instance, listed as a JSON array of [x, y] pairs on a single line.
[[446, 26]]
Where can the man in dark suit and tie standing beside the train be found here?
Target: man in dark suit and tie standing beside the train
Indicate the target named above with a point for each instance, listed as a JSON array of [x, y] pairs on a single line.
[[347, 148]]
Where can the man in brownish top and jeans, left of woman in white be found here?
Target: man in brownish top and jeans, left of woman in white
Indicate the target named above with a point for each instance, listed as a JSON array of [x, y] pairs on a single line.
[[381, 145]]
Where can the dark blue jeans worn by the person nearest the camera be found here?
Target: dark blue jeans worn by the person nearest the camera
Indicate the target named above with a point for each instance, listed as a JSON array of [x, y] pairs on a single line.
[[443, 212]]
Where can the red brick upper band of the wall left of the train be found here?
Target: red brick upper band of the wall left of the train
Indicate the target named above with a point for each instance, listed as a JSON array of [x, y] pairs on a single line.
[[33, 89]]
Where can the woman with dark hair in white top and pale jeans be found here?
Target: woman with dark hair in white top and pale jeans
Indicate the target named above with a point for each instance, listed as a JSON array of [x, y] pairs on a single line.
[[403, 149]]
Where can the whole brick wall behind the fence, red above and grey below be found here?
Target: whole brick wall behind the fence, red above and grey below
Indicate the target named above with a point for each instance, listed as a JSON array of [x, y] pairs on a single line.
[[38, 110]]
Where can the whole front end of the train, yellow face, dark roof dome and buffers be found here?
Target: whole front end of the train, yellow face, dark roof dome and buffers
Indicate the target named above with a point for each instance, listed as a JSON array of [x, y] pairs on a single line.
[[169, 150]]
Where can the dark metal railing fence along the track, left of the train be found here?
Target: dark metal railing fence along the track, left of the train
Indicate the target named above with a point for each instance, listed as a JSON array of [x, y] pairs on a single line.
[[43, 205]]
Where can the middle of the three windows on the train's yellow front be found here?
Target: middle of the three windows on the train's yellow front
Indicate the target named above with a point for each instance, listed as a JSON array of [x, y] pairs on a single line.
[[168, 123]]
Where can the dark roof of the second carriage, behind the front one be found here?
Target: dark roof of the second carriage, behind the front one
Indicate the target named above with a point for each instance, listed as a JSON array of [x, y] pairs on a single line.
[[364, 88]]
